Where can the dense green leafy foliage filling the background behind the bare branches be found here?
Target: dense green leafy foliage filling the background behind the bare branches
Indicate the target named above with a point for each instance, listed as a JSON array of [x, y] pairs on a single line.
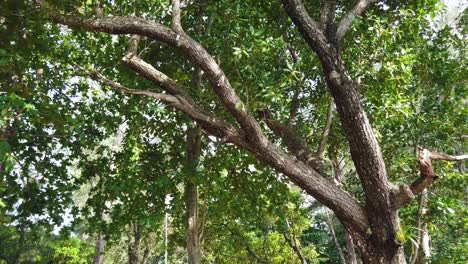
[[79, 159]]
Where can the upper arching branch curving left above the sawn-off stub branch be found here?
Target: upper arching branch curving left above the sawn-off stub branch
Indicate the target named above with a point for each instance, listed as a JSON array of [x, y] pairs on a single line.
[[202, 59]]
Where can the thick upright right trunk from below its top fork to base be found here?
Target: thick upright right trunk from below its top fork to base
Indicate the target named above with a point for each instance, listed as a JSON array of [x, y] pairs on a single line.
[[381, 246]]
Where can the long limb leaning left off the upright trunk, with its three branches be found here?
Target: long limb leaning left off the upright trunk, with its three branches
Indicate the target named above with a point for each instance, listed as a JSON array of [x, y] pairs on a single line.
[[249, 137]]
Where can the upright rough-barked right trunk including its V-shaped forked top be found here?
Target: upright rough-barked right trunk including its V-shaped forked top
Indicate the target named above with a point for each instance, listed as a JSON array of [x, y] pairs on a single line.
[[380, 246]]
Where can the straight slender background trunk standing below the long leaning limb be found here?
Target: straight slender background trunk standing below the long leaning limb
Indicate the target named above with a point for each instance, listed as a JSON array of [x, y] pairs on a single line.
[[193, 150]]
